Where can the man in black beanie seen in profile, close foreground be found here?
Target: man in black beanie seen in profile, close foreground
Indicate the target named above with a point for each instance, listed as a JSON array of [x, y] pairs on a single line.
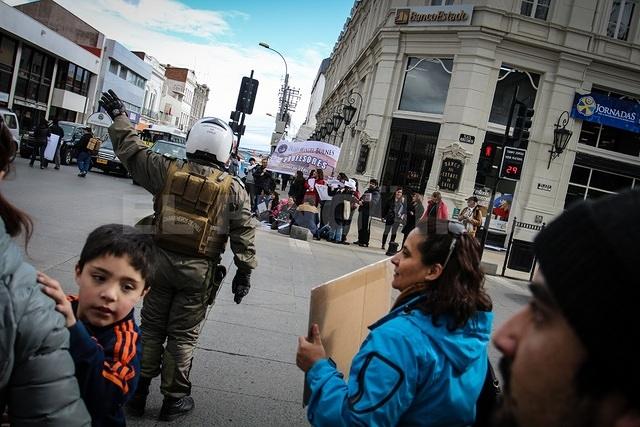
[[568, 357]]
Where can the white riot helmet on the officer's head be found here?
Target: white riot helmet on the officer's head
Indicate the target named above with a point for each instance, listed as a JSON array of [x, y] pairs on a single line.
[[210, 135]]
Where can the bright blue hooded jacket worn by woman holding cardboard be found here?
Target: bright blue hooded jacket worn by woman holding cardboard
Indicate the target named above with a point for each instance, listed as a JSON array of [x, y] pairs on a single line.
[[407, 372]]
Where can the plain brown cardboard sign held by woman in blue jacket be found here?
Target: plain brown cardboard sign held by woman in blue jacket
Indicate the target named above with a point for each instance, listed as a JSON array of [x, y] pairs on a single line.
[[345, 307]]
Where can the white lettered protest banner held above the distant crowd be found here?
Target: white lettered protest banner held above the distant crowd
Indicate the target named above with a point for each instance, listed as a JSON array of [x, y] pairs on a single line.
[[292, 156]]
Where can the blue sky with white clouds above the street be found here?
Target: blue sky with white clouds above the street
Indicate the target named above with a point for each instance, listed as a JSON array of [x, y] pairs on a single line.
[[219, 40]]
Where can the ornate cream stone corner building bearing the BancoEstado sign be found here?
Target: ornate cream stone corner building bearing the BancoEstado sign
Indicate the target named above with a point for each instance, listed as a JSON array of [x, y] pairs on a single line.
[[434, 81]]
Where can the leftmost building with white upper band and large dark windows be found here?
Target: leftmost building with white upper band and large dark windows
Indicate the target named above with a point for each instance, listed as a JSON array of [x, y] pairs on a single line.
[[43, 75]]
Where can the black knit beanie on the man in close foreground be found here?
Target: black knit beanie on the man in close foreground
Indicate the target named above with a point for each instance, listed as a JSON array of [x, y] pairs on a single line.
[[590, 258]]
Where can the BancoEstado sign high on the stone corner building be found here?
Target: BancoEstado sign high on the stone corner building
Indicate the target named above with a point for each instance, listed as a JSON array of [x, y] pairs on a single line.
[[434, 15]]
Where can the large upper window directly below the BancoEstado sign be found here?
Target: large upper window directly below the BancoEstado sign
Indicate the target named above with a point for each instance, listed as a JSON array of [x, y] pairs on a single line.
[[426, 85]]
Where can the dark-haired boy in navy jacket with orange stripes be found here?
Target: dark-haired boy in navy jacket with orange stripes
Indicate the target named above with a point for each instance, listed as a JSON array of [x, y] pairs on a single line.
[[112, 274]]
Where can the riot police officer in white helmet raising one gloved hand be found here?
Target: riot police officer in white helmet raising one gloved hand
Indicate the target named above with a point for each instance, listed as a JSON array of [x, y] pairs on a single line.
[[197, 207]]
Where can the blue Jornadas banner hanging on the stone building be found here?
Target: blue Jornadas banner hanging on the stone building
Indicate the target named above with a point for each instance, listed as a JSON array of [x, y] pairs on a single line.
[[598, 108]]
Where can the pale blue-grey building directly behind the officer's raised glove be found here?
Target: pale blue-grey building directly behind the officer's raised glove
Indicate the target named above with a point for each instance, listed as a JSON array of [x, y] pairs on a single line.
[[126, 74]]
